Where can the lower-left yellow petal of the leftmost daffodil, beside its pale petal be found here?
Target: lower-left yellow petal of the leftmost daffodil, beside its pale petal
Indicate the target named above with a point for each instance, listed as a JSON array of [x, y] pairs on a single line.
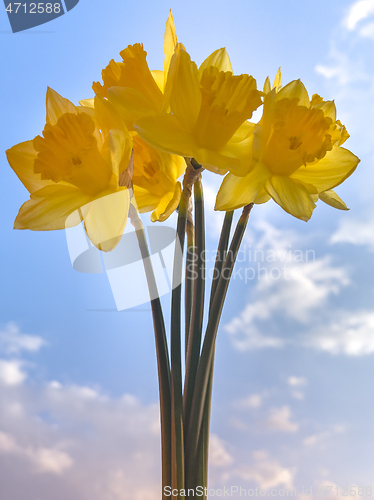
[[49, 208]]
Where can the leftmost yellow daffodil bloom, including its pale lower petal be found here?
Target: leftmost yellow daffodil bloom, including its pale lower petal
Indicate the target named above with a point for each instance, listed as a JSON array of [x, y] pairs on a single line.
[[72, 173]]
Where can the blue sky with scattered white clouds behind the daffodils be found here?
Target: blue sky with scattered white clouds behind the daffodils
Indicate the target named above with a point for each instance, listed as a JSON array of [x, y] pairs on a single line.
[[293, 394]]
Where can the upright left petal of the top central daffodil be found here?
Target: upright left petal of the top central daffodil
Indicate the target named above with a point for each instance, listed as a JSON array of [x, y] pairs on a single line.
[[185, 96]]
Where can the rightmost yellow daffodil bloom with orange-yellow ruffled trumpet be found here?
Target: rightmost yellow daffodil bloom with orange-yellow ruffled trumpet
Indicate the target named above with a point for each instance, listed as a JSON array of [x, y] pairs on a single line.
[[296, 155]]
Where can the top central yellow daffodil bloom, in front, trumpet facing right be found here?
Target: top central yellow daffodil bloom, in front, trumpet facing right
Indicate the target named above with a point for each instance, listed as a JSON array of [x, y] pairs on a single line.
[[207, 107]]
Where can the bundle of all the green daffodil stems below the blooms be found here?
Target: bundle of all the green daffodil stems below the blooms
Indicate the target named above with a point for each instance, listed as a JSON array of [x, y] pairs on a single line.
[[185, 406]]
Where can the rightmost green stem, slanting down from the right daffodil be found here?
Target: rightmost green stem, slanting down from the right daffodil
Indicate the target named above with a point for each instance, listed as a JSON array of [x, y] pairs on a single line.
[[206, 358]]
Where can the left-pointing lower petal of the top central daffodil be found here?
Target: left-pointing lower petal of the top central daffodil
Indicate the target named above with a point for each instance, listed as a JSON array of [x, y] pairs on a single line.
[[164, 132]]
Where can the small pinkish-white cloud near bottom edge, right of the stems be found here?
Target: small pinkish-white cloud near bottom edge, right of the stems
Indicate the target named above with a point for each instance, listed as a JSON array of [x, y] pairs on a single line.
[[265, 472]]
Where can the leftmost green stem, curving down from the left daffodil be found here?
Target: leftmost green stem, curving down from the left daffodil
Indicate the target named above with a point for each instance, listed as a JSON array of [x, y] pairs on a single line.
[[163, 364]]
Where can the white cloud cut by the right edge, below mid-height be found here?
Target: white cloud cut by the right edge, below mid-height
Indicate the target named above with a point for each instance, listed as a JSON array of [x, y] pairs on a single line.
[[351, 334]]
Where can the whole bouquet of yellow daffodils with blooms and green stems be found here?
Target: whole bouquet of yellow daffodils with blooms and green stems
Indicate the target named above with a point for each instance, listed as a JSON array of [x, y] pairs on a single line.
[[142, 145]]
